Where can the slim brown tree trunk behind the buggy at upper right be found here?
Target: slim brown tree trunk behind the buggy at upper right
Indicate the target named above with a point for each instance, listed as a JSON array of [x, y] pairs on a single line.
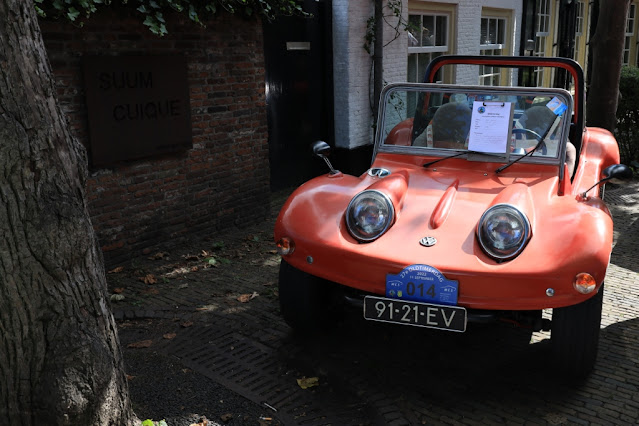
[[607, 50]]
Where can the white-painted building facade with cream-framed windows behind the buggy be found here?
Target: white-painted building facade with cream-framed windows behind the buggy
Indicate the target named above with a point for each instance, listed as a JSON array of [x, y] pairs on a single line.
[[418, 32]]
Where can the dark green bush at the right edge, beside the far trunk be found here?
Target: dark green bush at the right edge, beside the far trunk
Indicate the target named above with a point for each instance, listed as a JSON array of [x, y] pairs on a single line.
[[627, 129]]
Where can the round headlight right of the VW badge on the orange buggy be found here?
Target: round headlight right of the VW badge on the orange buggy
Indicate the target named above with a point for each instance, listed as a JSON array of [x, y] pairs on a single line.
[[503, 231]]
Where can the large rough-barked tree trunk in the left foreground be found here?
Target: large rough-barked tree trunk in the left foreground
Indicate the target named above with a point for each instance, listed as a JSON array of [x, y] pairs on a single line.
[[60, 361]]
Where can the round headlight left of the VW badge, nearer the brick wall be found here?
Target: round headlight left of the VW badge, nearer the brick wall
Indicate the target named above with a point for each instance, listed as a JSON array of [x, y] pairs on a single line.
[[369, 214]]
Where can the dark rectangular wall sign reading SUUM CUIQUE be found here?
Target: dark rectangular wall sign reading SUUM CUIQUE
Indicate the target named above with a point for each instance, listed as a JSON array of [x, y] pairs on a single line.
[[138, 106]]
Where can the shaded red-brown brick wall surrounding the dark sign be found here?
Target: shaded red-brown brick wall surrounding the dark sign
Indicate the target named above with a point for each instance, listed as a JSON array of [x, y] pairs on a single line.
[[223, 181]]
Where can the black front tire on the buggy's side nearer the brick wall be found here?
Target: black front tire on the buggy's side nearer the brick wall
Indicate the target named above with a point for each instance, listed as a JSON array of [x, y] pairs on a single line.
[[304, 299]]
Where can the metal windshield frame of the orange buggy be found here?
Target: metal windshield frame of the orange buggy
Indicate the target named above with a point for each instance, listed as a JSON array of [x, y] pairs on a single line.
[[564, 95]]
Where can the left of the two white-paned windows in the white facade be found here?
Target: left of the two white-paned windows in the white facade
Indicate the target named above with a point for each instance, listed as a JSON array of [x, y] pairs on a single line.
[[427, 39]]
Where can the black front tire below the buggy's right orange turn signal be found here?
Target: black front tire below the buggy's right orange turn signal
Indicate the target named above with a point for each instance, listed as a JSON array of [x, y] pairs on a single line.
[[575, 336]]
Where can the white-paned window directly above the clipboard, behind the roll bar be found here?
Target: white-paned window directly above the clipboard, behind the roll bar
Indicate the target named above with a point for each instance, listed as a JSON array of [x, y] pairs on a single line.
[[492, 41]]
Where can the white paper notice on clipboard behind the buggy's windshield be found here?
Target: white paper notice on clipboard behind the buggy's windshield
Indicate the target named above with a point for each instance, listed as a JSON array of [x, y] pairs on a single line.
[[490, 126]]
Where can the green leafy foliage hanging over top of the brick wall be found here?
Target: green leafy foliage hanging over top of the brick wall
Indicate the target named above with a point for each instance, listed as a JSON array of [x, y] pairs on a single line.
[[152, 11]]
